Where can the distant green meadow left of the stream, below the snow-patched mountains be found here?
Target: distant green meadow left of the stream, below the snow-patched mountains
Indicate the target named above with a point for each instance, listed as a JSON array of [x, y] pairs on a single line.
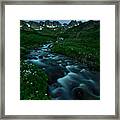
[[30, 40]]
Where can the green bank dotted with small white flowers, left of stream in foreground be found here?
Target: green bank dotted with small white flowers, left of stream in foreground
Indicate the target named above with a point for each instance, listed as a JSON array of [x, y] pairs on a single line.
[[33, 83]]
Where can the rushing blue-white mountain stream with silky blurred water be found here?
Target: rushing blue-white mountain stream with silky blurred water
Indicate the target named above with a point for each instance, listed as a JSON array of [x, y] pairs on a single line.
[[67, 78]]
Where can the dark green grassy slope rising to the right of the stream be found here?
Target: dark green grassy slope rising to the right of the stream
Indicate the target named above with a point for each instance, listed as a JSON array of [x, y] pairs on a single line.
[[82, 43]]
